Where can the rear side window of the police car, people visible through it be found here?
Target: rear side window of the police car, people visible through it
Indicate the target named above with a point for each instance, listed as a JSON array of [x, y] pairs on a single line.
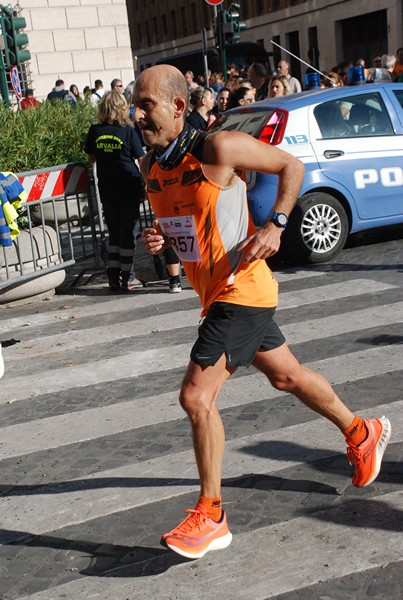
[[352, 116]]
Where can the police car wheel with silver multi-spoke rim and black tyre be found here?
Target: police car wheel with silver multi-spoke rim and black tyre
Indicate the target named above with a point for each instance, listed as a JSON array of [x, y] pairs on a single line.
[[317, 229]]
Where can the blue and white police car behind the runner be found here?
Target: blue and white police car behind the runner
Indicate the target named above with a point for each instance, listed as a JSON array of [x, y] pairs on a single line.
[[351, 142]]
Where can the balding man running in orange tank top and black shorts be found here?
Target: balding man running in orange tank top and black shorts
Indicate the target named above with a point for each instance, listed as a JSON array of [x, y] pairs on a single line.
[[200, 205]]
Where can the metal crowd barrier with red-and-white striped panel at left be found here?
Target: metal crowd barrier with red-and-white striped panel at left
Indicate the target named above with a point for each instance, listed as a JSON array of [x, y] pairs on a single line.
[[62, 224]]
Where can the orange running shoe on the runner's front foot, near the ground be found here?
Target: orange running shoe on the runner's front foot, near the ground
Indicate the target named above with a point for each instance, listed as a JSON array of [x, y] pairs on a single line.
[[198, 534]]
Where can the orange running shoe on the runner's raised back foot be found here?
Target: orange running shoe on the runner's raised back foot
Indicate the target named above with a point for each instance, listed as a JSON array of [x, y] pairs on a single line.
[[367, 457]]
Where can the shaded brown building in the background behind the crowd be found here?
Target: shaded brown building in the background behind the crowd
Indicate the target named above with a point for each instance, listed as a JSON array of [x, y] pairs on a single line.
[[321, 32]]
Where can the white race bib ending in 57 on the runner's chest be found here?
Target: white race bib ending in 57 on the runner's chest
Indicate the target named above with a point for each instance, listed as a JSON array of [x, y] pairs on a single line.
[[181, 232]]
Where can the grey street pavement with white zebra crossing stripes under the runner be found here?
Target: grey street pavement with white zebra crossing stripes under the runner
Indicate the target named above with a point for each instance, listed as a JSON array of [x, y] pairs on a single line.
[[97, 461]]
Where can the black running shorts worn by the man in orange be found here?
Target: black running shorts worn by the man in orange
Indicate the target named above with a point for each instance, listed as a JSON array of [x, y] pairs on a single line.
[[238, 331]]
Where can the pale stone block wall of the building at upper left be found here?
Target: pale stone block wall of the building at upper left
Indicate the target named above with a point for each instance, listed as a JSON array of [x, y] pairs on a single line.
[[77, 41]]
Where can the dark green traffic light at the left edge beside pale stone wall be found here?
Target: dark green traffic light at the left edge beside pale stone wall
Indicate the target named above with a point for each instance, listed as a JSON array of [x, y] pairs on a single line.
[[15, 39]]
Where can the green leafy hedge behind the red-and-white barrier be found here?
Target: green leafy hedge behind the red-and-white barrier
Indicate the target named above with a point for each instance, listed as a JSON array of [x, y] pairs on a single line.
[[52, 134]]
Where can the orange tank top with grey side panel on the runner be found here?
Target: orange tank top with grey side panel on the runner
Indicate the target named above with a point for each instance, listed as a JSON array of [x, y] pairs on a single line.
[[205, 224]]
